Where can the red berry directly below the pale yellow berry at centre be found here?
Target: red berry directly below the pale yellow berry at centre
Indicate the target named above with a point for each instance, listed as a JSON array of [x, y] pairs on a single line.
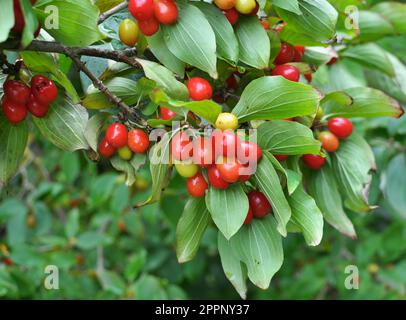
[[225, 143]]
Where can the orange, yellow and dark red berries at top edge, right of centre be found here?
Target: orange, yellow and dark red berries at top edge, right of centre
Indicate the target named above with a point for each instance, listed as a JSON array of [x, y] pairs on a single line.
[[233, 8]]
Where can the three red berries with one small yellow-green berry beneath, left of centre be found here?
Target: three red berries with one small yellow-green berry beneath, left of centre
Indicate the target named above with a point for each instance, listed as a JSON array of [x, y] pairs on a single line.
[[125, 142]]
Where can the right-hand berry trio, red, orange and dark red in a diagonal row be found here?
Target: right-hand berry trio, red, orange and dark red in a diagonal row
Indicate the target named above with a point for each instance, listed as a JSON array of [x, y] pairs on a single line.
[[338, 128]]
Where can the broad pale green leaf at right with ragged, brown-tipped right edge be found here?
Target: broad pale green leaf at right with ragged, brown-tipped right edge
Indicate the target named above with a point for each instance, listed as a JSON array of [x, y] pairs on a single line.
[[352, 163]]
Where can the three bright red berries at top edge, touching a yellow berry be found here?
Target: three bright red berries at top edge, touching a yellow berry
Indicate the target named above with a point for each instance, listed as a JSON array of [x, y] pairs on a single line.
[[150, 13]]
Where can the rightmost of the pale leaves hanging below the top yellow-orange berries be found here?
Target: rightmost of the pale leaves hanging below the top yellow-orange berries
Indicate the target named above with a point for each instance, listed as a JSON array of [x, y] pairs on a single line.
[[253, 41]]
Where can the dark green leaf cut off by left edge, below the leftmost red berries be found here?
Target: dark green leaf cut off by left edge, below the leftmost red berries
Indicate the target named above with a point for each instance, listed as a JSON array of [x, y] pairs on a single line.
[[13, 140]]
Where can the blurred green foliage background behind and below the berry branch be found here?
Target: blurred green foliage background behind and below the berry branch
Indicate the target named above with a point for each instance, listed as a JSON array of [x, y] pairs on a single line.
[[64, 210]]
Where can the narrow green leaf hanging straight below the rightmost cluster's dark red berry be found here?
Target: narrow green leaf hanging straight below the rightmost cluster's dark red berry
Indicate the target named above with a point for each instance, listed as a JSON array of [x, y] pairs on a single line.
[[323, 188]]
